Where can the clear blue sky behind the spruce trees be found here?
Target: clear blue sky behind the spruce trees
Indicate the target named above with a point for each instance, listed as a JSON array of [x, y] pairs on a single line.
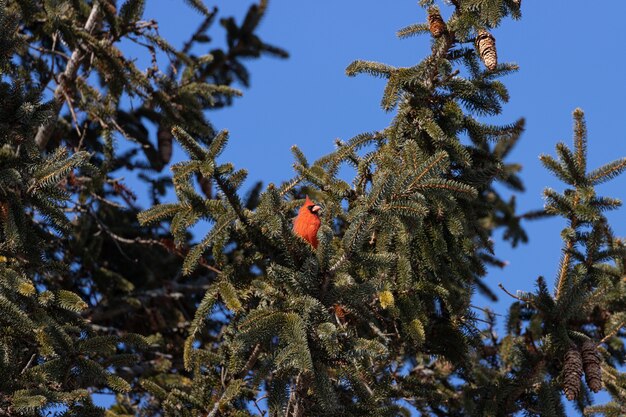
[[569, 53]]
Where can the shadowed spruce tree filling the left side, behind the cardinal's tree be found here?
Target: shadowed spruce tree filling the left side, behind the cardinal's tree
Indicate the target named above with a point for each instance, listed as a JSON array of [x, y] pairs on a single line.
[[90, 299]]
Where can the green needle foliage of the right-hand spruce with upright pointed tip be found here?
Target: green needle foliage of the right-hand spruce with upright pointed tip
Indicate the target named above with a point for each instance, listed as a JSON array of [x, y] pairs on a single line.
[[526, 369]]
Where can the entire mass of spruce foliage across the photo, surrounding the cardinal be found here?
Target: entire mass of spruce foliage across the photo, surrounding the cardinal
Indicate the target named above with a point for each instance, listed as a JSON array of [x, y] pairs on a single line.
[[101, 295]]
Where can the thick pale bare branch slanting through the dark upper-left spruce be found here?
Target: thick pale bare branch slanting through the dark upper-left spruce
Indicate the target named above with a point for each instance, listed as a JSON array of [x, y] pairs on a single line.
[[65, 79]]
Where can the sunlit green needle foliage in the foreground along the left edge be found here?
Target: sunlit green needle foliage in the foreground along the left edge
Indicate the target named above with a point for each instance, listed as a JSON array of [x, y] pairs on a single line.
[[49, 354]]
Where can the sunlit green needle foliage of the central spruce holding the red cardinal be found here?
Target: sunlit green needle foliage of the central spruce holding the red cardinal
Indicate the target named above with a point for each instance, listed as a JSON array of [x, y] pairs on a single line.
[[353, 327]]
